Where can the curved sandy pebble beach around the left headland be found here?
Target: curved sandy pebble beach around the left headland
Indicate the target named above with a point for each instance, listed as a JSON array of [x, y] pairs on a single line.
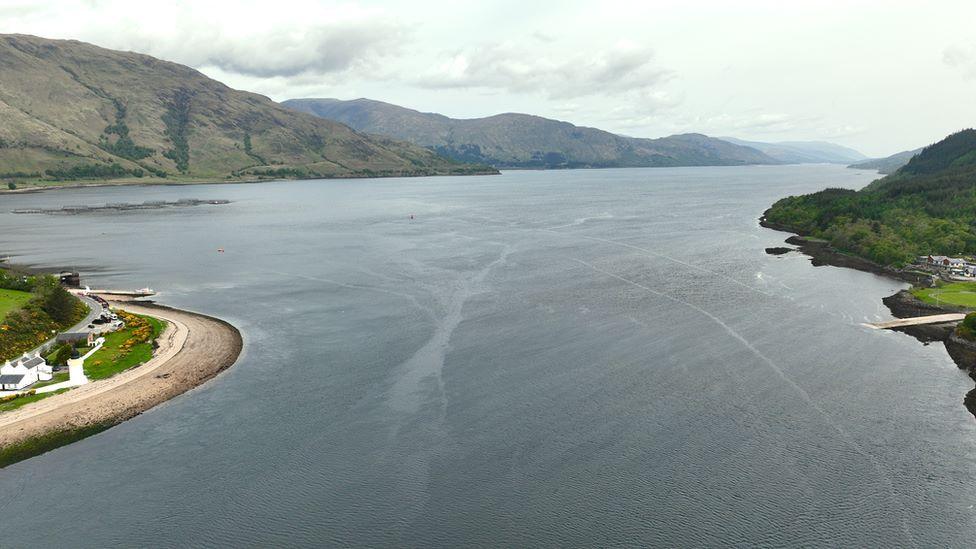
[[193, 349]]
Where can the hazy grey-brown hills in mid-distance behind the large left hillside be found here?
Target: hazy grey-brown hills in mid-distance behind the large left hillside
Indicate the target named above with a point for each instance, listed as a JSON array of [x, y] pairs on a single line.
[[526, 141]]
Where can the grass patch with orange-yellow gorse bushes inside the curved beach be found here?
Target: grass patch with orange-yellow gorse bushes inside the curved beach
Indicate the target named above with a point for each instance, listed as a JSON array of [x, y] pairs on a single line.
[[125, 348]]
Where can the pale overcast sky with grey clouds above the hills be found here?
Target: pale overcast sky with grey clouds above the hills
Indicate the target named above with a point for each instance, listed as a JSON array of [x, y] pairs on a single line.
[[879, 76]]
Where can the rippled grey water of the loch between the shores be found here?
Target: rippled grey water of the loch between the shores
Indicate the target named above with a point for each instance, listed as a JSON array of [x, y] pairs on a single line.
[[557, 358]]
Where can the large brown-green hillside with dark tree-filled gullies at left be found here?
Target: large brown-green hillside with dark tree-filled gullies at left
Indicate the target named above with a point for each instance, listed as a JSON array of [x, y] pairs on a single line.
[[71, 111]]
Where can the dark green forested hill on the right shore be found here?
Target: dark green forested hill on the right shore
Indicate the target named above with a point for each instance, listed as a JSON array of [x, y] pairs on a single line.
[[928, 206]]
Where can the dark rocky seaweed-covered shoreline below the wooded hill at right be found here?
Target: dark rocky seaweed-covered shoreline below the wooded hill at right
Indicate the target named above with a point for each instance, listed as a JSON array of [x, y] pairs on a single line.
[[901, 304]]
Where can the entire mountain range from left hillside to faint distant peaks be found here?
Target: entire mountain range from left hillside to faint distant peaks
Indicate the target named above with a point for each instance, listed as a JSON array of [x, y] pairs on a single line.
[[73, 111]]
